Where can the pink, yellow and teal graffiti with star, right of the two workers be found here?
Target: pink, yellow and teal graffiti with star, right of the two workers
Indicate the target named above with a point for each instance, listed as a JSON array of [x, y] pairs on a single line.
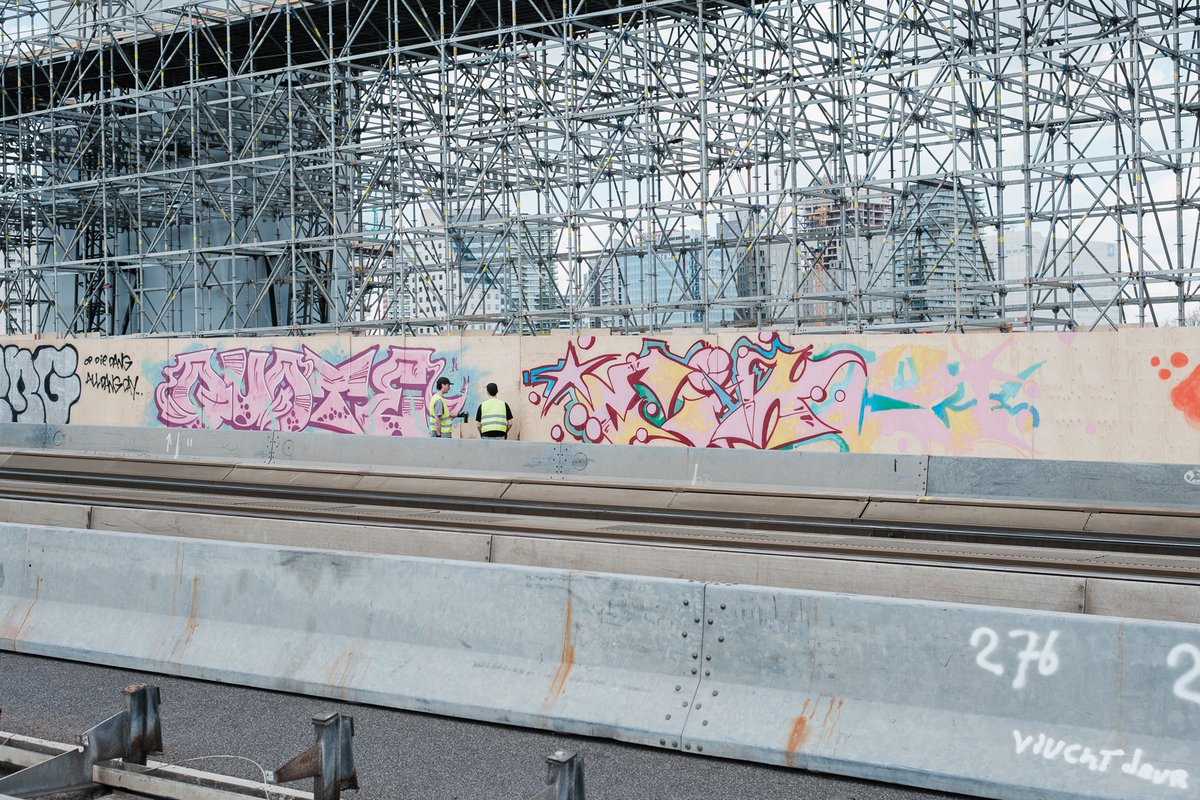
[[765, 394]]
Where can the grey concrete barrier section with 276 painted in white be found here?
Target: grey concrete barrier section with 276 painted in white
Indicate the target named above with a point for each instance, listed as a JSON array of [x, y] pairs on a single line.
[[991, 702]]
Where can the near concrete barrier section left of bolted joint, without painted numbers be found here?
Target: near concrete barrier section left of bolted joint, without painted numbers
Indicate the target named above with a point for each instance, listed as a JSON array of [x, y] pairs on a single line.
[[580, 653]]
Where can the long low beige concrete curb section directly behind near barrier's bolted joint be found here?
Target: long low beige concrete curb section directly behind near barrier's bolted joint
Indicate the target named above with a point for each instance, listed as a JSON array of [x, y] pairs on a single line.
[[941, 585]]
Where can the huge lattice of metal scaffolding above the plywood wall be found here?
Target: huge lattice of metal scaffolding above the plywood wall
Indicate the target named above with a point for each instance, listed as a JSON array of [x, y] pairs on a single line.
[[429, 166]]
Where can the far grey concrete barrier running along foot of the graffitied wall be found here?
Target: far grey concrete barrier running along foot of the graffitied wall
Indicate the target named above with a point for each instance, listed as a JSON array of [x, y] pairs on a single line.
[[856, 477]]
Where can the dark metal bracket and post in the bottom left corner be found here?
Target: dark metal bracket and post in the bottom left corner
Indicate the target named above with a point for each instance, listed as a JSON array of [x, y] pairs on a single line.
[[129, 736]]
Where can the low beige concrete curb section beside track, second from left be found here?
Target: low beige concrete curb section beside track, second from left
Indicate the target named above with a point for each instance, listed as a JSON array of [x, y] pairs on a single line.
[[356, 538]]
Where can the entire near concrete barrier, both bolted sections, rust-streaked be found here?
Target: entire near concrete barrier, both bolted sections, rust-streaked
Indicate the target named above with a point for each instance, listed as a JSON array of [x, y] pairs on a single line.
[[981, 701]]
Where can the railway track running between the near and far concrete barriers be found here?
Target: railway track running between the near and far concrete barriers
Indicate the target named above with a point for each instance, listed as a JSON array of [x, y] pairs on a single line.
[[191, 498]]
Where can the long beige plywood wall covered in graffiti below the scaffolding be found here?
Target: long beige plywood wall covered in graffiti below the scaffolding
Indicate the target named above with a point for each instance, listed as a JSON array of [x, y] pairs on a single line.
[[1133, 395]]
